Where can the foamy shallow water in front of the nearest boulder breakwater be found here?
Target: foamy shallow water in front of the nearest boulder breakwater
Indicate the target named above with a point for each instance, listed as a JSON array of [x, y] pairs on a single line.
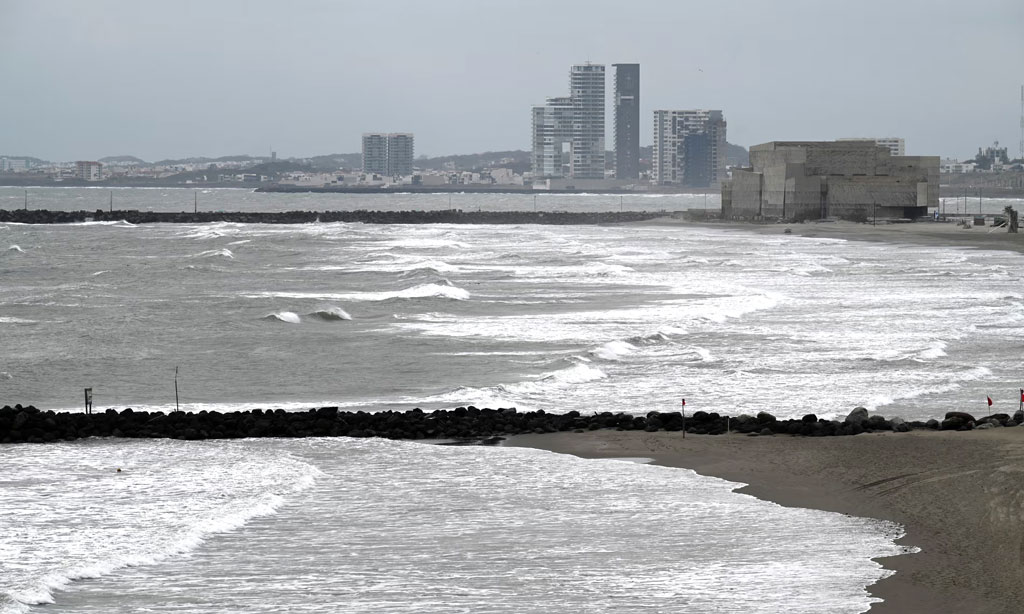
[[344, 525]]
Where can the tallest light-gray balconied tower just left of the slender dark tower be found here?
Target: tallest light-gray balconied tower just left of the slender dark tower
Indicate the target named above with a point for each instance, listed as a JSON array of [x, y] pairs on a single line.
[[587, 94]]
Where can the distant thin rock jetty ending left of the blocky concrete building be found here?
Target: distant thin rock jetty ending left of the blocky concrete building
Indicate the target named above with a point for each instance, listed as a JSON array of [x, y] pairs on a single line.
[[448, 216]]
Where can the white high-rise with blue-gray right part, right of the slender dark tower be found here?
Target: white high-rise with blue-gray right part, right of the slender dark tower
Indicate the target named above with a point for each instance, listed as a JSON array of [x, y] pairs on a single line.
[[690, 148]]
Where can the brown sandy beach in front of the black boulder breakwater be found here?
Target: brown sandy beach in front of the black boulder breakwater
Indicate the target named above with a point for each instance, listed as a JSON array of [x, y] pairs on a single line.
[[959, 495]]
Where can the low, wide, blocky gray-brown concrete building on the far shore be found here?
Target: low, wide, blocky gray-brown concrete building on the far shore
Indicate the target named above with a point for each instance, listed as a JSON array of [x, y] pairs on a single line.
[[822, 180]]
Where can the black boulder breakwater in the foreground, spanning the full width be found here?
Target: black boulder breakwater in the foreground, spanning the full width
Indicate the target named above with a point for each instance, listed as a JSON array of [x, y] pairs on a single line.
[[29, 425]]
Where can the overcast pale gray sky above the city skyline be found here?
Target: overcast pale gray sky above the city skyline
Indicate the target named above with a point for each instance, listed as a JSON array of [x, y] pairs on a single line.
[[96, 78]]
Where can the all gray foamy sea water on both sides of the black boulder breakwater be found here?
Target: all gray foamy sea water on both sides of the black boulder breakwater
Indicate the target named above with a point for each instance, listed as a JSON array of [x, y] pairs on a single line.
[[591, 319]]
